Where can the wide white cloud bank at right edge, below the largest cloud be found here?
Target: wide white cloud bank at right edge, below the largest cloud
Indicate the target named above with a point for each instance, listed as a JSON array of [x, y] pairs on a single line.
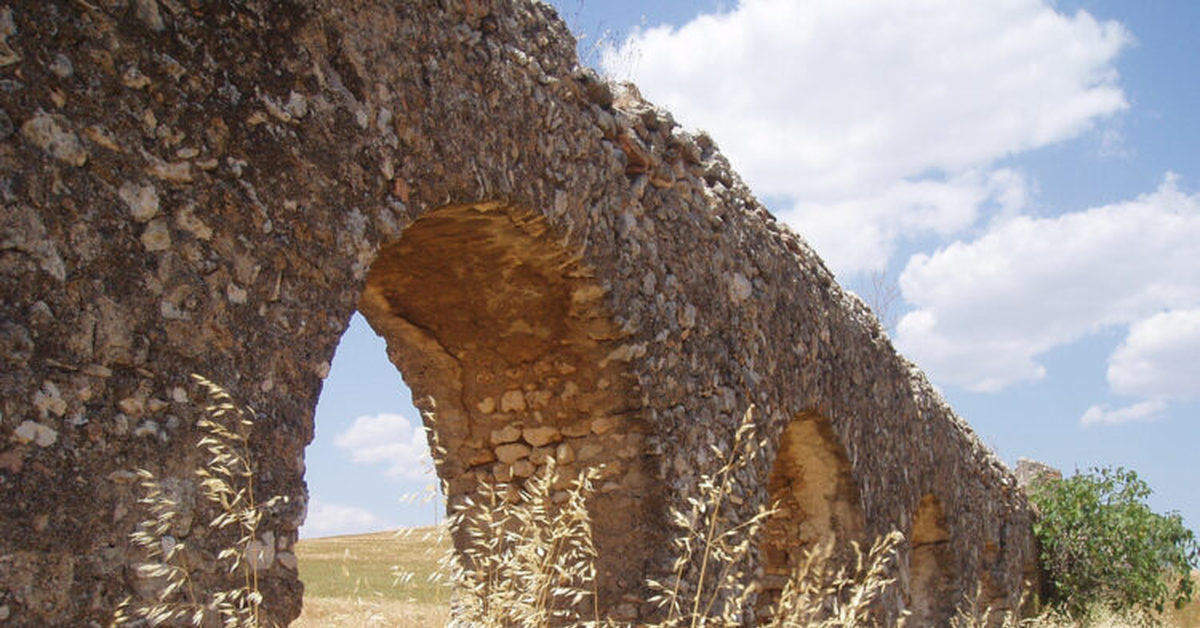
[[987, 309]]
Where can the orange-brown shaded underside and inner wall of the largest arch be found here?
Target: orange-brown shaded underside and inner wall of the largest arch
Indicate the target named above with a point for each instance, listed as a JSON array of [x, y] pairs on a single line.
[[503, 336]]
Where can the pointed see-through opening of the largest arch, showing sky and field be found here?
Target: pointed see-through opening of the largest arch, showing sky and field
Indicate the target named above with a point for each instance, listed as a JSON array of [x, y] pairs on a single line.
[[368, 473]]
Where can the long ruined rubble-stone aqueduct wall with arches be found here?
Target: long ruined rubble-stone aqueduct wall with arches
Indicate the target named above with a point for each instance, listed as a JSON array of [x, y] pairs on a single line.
[[217, 187]]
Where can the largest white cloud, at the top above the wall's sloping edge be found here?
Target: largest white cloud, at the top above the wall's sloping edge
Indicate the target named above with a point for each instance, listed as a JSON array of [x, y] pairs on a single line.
[[881, 121]]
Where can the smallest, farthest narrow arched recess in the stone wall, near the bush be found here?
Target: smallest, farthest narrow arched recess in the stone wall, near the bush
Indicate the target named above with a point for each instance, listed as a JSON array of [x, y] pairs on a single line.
[[933, 596]]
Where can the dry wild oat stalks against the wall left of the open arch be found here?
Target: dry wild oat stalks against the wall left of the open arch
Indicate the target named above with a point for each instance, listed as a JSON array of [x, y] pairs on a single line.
[[227, 481]]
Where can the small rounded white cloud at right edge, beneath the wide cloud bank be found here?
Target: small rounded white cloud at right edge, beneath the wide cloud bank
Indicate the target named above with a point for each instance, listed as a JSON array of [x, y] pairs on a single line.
[[1161, 357]]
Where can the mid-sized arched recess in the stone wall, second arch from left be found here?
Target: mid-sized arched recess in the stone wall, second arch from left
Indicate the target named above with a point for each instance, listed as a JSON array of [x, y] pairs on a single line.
[[818, 500]]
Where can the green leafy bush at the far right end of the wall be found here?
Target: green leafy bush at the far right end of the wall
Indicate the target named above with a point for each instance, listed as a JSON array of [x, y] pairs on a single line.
[[1103, 547]]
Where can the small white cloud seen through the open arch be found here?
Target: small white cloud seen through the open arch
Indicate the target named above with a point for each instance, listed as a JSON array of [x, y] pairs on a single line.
[[391, 440]]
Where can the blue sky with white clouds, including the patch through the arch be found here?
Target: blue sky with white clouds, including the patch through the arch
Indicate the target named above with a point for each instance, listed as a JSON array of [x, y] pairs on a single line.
[[1025, 172]]
